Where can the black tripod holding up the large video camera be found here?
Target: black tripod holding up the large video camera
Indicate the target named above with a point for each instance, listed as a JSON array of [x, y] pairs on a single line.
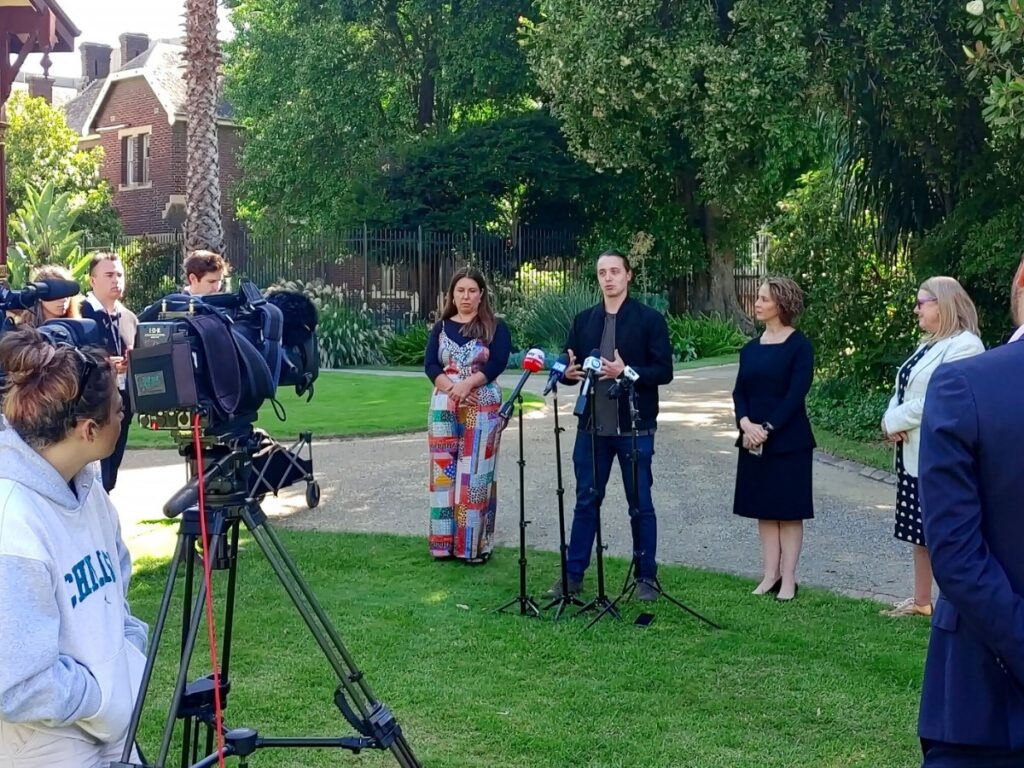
[[229, 507]]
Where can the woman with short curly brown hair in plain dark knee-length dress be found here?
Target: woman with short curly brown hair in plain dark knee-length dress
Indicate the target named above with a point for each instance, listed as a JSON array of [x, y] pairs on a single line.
[[777, 445]]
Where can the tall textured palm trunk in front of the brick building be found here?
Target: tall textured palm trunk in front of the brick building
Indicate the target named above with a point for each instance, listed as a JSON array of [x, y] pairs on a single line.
[[203, 222]]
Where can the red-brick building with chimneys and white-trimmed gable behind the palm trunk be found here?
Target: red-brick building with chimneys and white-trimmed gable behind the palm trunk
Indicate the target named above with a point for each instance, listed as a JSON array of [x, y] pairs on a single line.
[[137, 112]]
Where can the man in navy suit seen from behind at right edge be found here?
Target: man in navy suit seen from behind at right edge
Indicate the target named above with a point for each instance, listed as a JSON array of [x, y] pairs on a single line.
[[972, 492]]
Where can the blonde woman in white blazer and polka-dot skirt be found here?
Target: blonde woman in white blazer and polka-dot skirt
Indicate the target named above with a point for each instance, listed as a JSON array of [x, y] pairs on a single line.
[[950, 321]]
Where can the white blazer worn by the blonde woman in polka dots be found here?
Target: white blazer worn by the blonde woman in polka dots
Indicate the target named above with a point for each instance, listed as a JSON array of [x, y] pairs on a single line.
[[907, 417]]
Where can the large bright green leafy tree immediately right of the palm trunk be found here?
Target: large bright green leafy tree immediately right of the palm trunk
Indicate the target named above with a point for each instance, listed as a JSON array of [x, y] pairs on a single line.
[[332, 93]]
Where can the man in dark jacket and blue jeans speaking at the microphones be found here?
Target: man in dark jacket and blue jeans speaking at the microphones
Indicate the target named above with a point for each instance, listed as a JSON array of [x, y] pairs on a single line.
[[627, 333]]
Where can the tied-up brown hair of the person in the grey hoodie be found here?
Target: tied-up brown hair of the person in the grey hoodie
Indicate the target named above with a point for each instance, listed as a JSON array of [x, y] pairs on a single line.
[[50, 389]]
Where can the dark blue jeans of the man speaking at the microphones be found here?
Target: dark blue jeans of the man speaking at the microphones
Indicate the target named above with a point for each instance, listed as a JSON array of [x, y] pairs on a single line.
[[590, 494]]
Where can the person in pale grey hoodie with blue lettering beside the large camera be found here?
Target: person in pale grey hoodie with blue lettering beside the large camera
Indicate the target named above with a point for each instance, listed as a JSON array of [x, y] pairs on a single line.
[[71, 653]]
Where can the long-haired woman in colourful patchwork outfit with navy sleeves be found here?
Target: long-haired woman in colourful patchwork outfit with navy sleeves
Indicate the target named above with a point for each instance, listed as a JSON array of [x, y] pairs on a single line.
[[468, 350]]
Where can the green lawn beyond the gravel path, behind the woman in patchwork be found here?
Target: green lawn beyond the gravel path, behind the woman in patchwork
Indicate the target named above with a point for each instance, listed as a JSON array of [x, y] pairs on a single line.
[[346, 405]]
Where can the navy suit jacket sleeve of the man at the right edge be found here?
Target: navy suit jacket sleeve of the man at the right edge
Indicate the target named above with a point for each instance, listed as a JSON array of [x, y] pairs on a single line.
[[967, 573]]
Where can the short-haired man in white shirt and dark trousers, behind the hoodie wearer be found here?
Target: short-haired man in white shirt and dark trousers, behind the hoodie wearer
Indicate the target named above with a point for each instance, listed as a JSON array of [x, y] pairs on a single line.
[[117, 328]]
